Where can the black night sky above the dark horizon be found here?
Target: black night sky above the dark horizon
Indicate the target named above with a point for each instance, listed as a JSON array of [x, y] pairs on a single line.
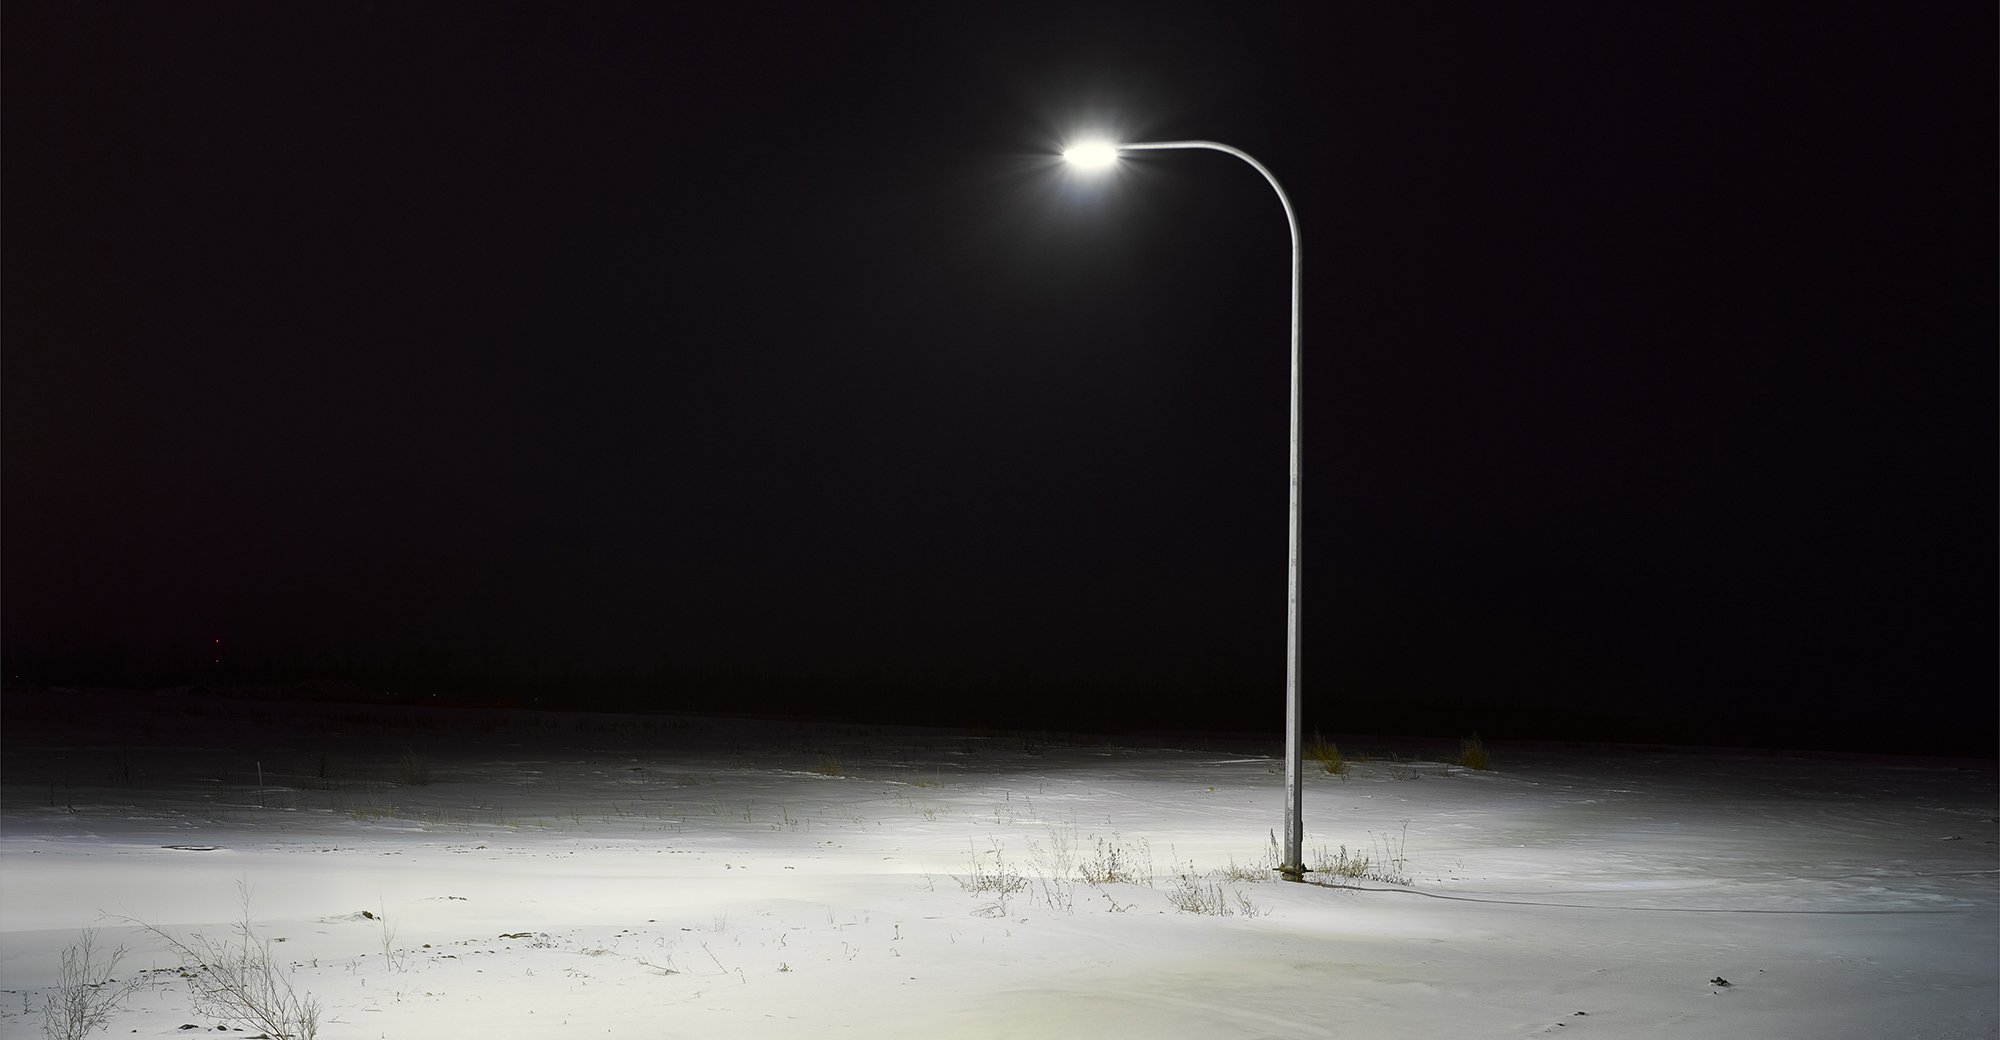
[[1649, 353]]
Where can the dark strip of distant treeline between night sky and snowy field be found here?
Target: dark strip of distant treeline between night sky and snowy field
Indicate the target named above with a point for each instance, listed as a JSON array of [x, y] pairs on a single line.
[[1357, 705]]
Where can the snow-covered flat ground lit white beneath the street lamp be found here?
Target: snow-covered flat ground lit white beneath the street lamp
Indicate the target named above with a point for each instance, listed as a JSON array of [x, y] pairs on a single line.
[[441, 873]]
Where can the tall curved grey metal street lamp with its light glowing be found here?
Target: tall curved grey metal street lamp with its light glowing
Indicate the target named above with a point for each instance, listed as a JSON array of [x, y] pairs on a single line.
[[1105, 155]]
